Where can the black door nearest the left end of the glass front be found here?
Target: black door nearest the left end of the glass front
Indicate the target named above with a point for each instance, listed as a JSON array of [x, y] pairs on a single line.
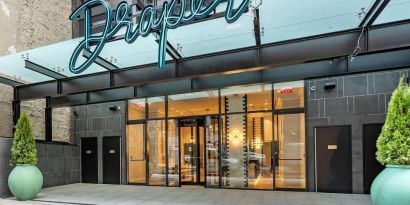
[[111, 160]]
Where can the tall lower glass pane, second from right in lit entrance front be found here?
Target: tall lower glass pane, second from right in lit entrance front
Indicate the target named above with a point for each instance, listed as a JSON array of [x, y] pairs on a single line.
[[259, 155]]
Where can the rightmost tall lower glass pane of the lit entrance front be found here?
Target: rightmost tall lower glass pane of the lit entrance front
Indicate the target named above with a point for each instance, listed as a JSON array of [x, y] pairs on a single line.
[[290, 151]]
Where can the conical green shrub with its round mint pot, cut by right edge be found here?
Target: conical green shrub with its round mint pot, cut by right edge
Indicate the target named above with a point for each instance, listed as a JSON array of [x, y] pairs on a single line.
[[392, 186]]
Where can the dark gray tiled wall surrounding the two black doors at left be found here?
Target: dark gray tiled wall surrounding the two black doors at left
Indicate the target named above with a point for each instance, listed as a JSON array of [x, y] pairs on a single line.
[[97, 120]]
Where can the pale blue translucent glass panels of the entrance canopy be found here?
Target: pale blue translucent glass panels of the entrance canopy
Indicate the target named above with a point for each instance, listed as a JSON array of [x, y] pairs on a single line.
[[280, 20]]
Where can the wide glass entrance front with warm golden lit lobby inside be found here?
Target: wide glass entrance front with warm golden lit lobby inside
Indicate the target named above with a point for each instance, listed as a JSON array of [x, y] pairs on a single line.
[[246, 137]]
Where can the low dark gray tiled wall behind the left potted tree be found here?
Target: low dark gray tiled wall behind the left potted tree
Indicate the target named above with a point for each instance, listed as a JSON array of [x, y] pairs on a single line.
[[59, 164]]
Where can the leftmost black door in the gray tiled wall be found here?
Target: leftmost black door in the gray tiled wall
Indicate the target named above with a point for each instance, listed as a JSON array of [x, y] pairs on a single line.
[[89, 160]]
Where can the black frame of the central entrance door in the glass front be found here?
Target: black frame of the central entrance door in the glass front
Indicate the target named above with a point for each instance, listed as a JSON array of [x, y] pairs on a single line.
[[198, 162]]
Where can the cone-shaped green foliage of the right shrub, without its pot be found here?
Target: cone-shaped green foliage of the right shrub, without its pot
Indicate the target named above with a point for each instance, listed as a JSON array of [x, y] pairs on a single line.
[[393, 144]]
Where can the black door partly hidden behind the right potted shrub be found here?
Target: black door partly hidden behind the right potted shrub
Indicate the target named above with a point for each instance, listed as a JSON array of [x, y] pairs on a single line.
[[371, 166]]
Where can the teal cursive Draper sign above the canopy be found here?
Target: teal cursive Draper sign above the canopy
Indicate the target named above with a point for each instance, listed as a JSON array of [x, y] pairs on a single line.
[[150, 20]]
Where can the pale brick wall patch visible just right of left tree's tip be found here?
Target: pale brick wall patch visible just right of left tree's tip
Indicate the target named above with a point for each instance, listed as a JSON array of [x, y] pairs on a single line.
[[35, 110]]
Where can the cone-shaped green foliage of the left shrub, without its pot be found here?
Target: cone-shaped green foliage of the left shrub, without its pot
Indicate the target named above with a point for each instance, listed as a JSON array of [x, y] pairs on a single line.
[[23, 150]]
